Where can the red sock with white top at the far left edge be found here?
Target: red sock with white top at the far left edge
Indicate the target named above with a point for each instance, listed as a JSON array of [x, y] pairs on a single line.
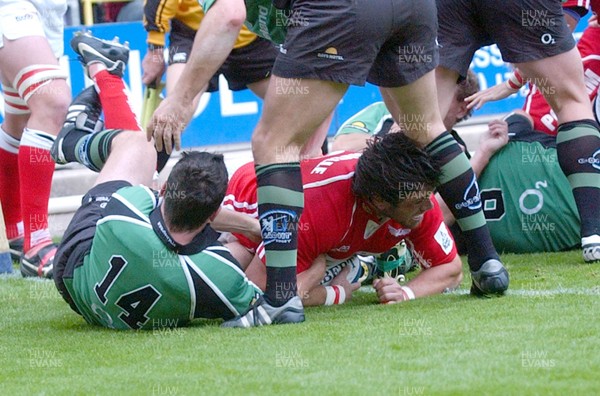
[[10, 196]]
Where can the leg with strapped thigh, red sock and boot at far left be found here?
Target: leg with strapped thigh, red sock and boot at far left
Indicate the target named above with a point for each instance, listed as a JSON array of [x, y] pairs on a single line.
[[30, 64]]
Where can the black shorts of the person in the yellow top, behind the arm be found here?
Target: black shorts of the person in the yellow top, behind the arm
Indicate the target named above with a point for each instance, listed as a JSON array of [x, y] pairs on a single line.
[[243, 66]]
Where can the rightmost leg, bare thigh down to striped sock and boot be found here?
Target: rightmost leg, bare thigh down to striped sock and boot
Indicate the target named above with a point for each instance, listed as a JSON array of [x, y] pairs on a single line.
[[560, 80]]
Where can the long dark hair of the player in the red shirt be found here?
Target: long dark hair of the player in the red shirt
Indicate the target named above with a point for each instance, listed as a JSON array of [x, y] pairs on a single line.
[[391, 166]]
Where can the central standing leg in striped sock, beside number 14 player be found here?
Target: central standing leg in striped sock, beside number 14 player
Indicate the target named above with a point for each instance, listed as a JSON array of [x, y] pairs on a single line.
[[289, 119]]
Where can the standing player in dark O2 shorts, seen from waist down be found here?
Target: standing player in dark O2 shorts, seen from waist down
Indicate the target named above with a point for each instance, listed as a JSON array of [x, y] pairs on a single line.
[[544, 53]]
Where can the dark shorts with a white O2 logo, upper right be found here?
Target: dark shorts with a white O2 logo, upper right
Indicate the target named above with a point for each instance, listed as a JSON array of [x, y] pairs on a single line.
[[524, 30]]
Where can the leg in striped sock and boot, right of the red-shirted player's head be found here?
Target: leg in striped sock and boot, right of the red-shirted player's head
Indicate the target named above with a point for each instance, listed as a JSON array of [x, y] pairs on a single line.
[[423, 122]]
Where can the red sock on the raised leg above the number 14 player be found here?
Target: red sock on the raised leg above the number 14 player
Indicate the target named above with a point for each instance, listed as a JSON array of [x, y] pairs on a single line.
[[115, 102]]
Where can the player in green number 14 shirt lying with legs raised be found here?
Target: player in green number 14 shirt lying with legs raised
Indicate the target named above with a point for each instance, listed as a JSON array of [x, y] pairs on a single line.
[[129, 258]]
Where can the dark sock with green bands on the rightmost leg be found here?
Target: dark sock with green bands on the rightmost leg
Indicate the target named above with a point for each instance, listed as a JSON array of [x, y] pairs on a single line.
[[578, 149]]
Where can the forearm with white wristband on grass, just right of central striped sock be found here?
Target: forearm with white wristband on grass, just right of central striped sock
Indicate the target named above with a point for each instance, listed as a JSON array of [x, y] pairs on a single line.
[[313, 293]]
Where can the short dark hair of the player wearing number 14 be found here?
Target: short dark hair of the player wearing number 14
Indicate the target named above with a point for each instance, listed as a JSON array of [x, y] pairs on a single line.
[[194, 190]]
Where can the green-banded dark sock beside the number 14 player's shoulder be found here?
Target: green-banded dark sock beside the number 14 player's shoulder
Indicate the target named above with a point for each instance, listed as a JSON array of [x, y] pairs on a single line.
[[280, 204]]
